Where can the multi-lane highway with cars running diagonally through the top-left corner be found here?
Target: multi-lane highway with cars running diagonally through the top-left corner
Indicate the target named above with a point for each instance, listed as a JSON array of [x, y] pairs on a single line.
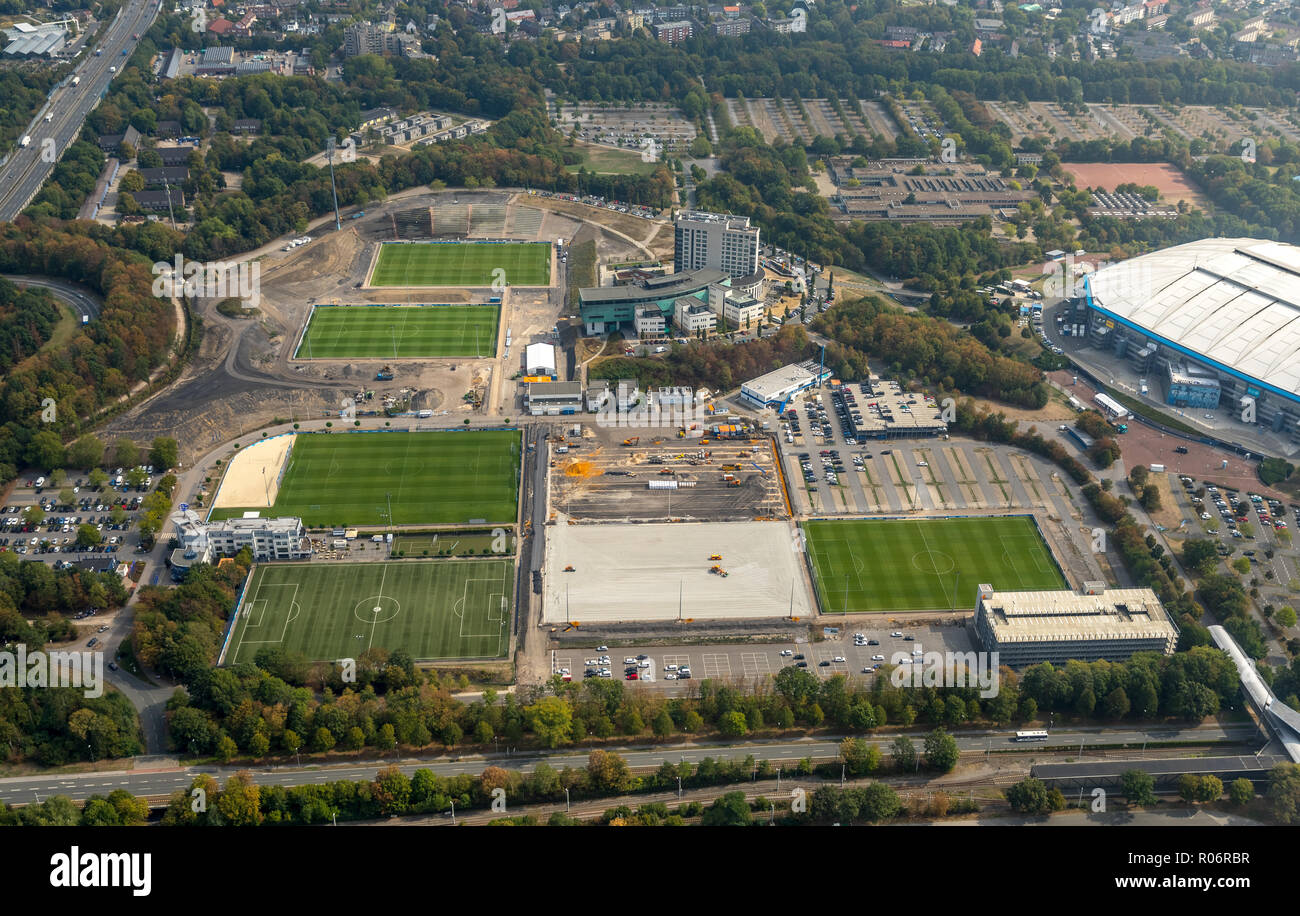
[[31, 166]]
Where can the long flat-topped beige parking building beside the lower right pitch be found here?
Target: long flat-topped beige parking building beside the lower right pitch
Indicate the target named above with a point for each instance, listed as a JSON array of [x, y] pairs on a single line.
[[1028, 628]]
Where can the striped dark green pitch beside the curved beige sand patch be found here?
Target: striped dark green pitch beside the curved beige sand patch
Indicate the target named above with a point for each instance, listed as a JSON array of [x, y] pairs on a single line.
[[427, 479]]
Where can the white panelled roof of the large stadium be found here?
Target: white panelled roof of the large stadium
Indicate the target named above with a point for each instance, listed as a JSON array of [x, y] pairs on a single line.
[[1232, 303]]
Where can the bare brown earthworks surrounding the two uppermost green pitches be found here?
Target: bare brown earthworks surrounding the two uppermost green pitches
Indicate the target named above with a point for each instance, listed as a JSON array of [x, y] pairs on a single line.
[[244, 376]]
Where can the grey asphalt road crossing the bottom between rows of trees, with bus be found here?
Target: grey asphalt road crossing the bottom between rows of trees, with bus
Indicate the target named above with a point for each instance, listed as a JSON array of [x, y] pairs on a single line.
[[161, 783]]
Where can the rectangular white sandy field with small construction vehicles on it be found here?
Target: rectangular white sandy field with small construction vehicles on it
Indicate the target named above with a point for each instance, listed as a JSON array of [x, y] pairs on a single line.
[[632, 572]]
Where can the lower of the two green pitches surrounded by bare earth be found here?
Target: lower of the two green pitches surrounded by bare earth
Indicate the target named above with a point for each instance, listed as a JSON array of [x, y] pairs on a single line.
[[401, 332]]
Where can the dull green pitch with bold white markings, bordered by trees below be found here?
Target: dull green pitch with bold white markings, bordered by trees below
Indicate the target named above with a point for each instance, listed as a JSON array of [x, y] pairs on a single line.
[[431, 609]]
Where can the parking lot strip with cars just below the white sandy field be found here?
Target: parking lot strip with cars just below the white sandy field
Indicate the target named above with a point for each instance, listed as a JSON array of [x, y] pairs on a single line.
[[840, 653]]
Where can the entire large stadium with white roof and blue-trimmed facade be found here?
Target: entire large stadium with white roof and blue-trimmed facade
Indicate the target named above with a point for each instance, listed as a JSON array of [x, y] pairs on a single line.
[[1216, 322]]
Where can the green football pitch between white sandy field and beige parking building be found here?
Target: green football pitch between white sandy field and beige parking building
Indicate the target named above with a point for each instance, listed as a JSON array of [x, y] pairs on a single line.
[[925, 565]]
